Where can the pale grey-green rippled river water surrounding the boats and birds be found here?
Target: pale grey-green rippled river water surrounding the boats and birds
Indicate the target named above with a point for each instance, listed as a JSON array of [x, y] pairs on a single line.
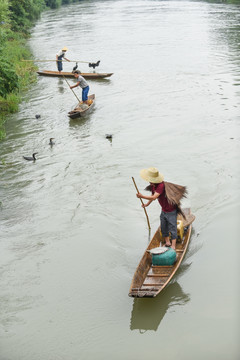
[[72, 229]]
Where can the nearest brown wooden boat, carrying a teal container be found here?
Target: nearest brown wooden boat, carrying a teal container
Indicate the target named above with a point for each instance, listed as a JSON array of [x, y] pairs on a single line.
[[150, 280]]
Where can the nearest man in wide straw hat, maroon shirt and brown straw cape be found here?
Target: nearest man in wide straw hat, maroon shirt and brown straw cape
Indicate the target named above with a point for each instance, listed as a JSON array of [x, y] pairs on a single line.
[[168, 196]]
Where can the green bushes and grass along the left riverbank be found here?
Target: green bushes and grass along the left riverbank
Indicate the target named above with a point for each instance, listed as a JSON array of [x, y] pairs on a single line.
[[16, 19]]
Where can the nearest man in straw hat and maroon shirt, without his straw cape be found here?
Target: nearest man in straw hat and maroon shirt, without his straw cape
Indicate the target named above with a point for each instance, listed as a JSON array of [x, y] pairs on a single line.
[[168, 217]]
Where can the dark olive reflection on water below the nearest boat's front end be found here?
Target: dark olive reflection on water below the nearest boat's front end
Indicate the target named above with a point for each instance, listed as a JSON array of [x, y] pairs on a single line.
[[147, 314]]
